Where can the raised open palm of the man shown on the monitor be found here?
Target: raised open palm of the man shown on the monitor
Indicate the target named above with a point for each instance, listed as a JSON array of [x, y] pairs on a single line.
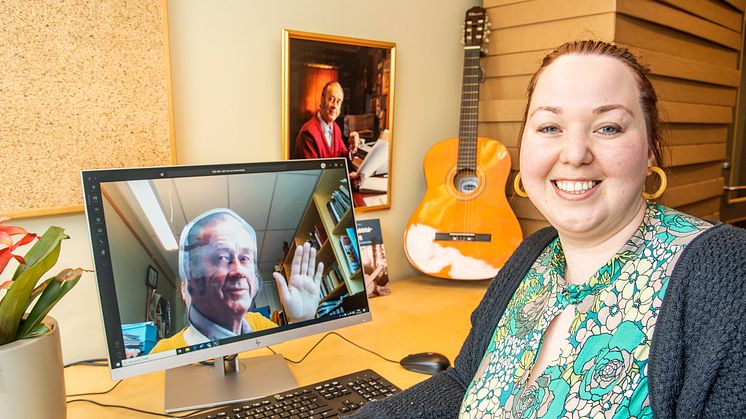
[[300, 296]]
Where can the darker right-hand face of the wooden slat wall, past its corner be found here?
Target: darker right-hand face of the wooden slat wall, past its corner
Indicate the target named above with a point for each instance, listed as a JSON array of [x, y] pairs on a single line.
[[693, 50]]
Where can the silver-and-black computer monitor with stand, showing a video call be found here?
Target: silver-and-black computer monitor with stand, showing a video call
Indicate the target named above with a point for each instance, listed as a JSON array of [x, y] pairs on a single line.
[[188, 261]]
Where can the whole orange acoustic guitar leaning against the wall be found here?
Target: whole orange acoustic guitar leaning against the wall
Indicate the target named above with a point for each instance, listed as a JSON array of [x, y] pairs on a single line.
[[464, 227]]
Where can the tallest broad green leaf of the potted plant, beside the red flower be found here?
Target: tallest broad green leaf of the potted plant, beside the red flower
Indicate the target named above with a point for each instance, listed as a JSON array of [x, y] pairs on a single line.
[[18, 297]]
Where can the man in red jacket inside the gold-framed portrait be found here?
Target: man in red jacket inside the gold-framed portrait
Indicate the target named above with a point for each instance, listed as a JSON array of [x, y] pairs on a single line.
[[320, 136]]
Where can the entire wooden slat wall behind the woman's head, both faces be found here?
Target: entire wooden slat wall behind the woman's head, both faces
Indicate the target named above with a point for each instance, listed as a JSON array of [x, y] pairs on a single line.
[[692, 48]]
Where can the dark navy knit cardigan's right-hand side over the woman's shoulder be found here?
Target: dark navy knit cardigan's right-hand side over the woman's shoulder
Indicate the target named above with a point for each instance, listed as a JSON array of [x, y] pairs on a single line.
[[700, 329]]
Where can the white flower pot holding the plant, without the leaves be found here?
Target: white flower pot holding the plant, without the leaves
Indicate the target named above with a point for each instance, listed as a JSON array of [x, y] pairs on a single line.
[[32, 378]]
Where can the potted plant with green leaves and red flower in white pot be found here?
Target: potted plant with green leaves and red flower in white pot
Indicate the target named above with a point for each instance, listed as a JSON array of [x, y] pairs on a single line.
[[31, 374]]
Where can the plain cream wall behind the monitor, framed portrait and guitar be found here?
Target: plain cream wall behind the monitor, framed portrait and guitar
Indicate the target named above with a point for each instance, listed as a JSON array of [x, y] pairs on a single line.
[[226, 61]]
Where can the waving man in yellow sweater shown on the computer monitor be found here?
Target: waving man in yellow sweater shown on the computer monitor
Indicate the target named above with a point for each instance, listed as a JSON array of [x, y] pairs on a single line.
[[218, 269]]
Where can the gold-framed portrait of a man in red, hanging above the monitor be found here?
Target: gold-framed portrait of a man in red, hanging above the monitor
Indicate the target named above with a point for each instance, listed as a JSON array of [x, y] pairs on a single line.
[[338, 101]]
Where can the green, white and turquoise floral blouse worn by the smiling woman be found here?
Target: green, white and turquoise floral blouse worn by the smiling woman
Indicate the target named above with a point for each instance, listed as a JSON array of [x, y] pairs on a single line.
[[601, 370]]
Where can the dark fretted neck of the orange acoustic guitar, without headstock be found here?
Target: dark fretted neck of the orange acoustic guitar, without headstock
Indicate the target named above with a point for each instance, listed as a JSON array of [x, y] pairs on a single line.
[[467, 147]]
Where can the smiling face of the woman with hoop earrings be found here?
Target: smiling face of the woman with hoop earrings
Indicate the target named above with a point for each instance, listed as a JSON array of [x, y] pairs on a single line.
[[584, 150]]
